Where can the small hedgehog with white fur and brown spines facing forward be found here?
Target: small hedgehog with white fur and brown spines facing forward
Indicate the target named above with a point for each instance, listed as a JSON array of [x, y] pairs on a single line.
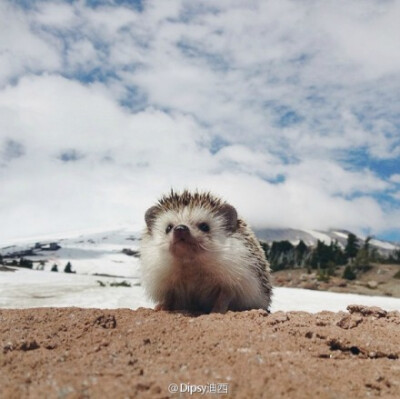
[[197, 255]]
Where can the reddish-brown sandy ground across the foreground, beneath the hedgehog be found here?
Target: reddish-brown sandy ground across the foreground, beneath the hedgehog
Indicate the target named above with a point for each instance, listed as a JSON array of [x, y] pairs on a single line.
[[92, 353]]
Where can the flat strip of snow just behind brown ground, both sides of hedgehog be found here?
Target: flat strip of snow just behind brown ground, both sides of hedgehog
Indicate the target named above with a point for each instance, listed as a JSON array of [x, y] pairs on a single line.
[[26, 288]]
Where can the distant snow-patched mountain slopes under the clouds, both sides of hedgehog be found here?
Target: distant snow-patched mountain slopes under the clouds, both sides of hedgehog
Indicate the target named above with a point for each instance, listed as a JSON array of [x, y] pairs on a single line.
[[115, 252]]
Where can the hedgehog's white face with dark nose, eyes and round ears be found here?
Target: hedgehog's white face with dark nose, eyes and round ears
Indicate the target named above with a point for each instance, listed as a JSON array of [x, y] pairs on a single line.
[[191, 232]]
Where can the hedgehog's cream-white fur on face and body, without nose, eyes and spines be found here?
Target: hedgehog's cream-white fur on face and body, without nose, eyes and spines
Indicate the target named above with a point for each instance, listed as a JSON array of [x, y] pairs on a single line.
[[224, 262]]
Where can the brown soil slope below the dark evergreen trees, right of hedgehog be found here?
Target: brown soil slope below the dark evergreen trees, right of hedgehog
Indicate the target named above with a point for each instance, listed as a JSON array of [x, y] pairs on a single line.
[[378, 281]]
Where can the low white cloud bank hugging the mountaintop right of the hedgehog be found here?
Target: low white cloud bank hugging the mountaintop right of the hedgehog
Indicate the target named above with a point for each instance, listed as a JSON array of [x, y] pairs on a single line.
[[296, 204]]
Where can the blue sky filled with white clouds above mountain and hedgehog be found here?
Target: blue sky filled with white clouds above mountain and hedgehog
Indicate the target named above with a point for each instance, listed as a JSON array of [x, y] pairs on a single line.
[[289, 110]]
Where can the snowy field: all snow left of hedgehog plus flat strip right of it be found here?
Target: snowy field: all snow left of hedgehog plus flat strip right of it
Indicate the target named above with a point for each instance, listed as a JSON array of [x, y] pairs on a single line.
[[102, 253]]
